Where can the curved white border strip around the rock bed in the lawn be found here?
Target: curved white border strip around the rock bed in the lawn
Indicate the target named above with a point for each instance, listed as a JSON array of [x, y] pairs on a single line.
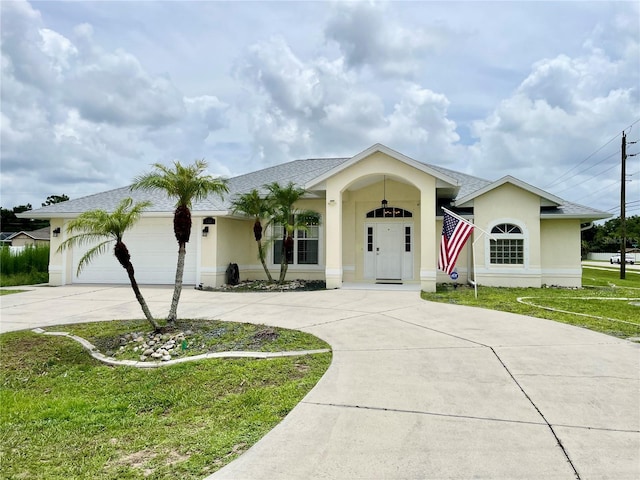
[[137, 364]]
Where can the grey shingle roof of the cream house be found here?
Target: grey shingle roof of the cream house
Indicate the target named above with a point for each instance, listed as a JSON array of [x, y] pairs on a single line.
[[300, 172]]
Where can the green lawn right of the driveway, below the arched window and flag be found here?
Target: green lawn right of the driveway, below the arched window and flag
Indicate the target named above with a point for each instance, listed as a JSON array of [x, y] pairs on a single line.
[[606, 294]]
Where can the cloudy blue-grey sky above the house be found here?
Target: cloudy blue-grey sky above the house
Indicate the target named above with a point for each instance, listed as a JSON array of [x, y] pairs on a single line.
[[94, 93]]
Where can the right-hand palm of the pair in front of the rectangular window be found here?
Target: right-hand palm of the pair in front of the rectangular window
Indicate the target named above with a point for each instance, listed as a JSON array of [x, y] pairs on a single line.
[[282, 200]]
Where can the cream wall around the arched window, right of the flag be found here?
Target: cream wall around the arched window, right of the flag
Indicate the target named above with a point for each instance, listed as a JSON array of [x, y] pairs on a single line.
[[509, 204]]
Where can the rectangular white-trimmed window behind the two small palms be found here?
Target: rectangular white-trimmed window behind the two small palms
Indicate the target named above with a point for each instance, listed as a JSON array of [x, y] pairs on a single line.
[[304, 248]]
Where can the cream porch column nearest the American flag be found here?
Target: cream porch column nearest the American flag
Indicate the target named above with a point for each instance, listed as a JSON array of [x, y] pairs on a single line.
[[428, 253]]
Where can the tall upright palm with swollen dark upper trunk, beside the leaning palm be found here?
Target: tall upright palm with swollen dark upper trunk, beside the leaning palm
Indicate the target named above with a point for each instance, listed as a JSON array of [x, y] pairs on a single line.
[[186, 184]]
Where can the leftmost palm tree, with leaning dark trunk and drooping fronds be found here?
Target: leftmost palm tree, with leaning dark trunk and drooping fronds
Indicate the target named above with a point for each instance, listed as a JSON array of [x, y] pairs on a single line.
[[95, 225]]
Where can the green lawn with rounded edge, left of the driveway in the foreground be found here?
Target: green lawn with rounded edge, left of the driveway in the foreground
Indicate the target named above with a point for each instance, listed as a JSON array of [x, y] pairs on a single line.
[[65, 415]]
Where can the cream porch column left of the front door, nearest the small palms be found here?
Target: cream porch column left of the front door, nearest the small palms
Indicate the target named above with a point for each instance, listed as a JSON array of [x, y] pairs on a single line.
[[333, 238]]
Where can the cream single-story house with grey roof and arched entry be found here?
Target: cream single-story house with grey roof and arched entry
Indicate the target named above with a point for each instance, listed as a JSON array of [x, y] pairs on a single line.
[[381, 221]]
